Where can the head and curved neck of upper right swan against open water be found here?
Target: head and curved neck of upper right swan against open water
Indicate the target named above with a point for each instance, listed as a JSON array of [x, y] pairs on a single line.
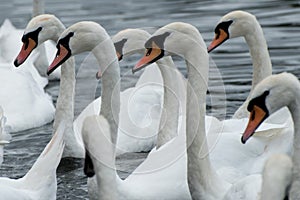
[[241, 23]]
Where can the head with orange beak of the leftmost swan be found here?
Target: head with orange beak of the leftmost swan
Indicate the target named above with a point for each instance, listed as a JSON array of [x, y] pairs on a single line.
[[39, 29]]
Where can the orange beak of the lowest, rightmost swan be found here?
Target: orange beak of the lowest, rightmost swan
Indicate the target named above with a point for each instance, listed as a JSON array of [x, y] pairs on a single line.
[[257, 116]]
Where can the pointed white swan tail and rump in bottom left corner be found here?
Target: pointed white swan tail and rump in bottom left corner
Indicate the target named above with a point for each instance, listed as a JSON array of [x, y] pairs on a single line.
[[40, 181]]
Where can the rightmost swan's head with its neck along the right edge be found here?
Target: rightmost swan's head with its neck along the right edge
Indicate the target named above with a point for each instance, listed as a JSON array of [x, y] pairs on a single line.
[[265, 102]]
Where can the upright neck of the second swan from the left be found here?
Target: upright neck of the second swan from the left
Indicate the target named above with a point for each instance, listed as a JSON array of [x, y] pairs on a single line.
[[110, 80]]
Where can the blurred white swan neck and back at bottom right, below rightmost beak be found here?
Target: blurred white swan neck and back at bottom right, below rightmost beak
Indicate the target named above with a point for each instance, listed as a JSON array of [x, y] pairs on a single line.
[[272, 184]]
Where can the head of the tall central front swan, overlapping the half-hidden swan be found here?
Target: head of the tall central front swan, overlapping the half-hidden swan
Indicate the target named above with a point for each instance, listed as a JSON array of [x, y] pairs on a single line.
[[172, 39]]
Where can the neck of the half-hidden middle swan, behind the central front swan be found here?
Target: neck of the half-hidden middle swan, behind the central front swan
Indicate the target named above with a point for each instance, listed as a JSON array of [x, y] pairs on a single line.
[[173, 96]]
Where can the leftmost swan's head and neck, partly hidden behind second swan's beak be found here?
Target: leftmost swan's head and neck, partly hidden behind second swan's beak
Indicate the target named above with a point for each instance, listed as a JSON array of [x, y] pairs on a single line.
[[50, 27]]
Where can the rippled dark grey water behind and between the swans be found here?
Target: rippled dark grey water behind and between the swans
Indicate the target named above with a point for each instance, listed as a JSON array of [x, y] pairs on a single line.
[[279, 19]]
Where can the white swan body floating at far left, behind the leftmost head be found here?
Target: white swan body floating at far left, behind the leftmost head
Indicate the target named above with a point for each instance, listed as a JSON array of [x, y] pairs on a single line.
[[26, 82]]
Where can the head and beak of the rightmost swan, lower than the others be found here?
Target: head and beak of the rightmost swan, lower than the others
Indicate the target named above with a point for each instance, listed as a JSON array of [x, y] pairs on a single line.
[[270, 95]]
